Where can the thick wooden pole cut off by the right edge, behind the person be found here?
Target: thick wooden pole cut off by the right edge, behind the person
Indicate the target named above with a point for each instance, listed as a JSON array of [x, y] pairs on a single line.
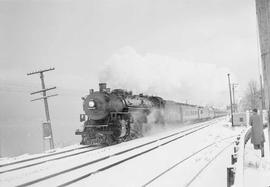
[[263, 18]]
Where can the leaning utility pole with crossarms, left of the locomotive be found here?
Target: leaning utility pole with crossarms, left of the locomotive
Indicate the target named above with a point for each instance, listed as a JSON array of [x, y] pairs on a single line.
[[47, 129]]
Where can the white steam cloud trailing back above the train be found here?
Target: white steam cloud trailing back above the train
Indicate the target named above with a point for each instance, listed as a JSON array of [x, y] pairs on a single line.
[[170, 78]]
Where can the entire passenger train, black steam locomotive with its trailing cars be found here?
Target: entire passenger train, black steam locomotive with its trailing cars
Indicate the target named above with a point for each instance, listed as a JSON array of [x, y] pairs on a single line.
[[114, 116]]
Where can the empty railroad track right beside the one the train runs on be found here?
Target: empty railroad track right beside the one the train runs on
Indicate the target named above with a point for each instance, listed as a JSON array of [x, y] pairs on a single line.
[[111, 160]]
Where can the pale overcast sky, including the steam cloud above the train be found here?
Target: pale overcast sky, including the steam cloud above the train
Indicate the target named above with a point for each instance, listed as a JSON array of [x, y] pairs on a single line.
[[180, 50]]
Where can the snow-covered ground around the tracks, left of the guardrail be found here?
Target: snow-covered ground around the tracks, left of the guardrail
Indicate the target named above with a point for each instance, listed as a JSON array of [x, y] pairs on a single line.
[[199, 159]]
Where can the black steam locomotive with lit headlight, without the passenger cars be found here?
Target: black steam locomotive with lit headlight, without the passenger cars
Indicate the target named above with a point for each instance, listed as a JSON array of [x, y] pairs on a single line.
[[114, 116]]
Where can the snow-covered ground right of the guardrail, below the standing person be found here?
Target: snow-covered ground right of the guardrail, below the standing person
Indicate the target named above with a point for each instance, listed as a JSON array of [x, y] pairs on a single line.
[[256, 168]]
